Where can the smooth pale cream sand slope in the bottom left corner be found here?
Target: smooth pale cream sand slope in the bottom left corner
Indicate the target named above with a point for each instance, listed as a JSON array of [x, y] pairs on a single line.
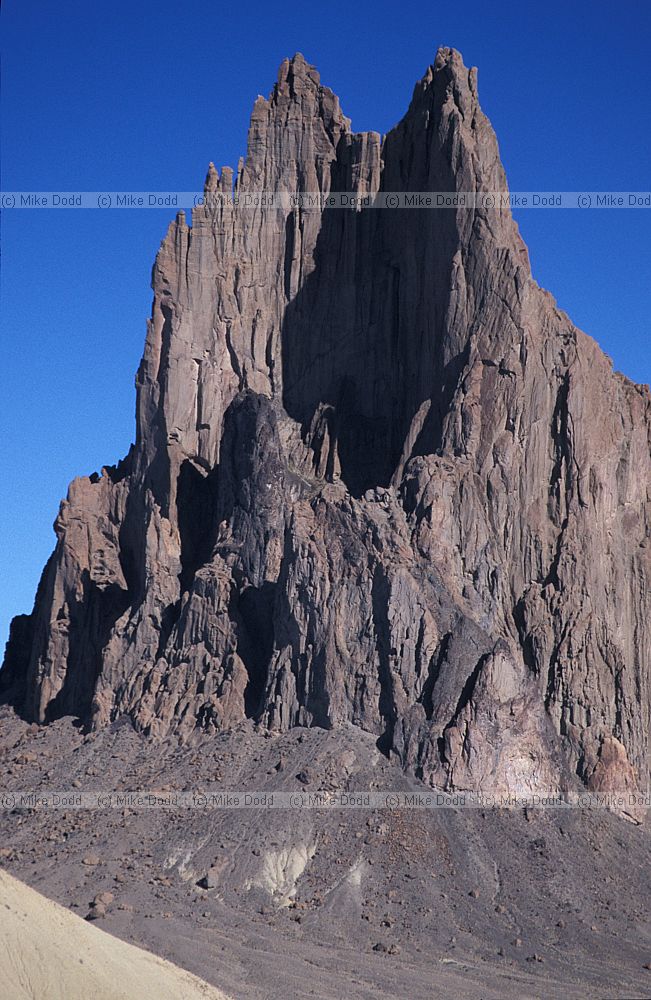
[[47, 953]]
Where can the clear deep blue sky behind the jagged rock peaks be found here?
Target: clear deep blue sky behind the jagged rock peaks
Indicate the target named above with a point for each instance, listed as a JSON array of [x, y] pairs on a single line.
[[137, 96]]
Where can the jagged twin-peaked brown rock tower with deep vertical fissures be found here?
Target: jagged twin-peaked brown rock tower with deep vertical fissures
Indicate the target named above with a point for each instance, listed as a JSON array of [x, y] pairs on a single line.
[[378, 478]]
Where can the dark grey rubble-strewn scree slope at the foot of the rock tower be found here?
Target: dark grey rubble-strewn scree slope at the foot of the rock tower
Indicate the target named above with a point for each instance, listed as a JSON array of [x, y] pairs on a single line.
[[276, 903]]
